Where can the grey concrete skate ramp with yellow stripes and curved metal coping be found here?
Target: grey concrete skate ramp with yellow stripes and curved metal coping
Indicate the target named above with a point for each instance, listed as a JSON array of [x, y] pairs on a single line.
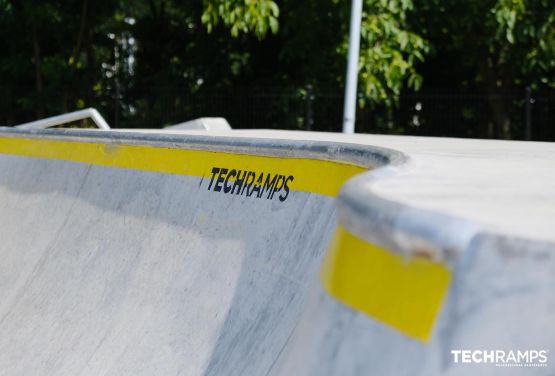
[[228, 253]]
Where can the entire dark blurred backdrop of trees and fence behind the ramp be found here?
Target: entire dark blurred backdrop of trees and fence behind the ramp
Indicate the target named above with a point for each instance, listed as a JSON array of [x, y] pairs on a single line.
[[436, 67]]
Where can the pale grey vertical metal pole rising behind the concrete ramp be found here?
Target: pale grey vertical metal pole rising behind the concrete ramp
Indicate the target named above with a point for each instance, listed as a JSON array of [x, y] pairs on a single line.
[[349, 109]]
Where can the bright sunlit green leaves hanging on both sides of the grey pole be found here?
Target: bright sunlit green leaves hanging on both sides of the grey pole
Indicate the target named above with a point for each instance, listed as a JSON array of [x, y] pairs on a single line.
[[389, 50]]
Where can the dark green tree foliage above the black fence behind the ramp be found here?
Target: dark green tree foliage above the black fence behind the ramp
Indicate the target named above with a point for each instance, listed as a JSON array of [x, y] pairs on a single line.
[[125, 55]]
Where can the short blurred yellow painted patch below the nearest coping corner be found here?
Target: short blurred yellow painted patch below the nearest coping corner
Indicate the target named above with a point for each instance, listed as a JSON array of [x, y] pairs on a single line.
[[404, 293]]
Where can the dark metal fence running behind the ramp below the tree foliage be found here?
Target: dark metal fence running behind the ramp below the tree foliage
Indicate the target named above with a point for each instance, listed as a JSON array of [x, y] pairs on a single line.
[[432, 112]]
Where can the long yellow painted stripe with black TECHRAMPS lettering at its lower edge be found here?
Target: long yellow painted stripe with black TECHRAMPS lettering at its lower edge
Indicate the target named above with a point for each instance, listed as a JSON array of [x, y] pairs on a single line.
[[310, 175]]
